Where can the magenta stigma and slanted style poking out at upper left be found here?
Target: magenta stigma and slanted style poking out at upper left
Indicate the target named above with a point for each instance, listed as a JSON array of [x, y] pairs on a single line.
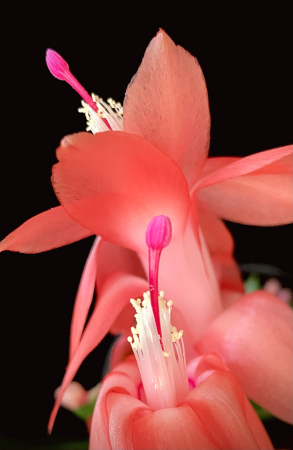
[[60, 70]]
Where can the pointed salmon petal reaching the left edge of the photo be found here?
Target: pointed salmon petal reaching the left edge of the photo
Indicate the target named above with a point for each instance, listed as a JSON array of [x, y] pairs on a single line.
[[50, 229]]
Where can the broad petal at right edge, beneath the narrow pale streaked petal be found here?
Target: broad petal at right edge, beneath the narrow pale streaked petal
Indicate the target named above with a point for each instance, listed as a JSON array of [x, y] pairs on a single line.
[[252, 199]]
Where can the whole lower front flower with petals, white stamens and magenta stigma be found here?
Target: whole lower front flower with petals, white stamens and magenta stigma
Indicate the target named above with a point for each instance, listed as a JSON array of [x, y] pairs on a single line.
[[155, 402]]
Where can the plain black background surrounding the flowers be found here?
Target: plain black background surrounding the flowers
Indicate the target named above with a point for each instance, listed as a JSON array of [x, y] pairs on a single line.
[[246, 57]]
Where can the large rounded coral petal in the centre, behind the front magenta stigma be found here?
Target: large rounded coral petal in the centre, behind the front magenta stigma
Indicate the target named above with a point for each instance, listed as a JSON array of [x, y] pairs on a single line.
[[114, 183]]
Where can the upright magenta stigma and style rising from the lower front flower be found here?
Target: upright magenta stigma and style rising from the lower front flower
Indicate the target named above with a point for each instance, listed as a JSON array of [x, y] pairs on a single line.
[[158, 236]]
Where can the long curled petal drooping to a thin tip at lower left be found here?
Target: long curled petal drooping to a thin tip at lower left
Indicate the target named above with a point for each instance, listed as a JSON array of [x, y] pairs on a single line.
[[118, 293]]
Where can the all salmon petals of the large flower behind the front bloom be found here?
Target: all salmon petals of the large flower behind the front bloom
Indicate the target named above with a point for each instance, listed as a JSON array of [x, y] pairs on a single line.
[[112, 183]]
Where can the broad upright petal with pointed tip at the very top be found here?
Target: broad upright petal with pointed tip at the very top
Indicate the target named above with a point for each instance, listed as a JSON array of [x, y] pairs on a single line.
[[167, 104]]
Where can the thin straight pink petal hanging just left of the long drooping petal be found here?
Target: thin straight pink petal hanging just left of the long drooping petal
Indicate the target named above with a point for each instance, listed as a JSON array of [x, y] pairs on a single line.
[[84, 297]]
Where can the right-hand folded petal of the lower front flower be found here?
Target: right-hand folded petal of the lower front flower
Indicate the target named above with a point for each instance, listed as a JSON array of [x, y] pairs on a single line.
[[221, 405]]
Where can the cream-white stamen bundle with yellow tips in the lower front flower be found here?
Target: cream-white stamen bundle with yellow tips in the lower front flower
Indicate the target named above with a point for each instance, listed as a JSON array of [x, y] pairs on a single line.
[[163, 372]]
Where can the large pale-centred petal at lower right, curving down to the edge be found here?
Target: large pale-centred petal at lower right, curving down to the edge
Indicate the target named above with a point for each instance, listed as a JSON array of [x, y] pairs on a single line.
[[254, 338]]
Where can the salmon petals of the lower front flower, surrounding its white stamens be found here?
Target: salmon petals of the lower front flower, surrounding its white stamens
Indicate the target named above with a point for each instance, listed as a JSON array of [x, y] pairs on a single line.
[[214, 415]]
